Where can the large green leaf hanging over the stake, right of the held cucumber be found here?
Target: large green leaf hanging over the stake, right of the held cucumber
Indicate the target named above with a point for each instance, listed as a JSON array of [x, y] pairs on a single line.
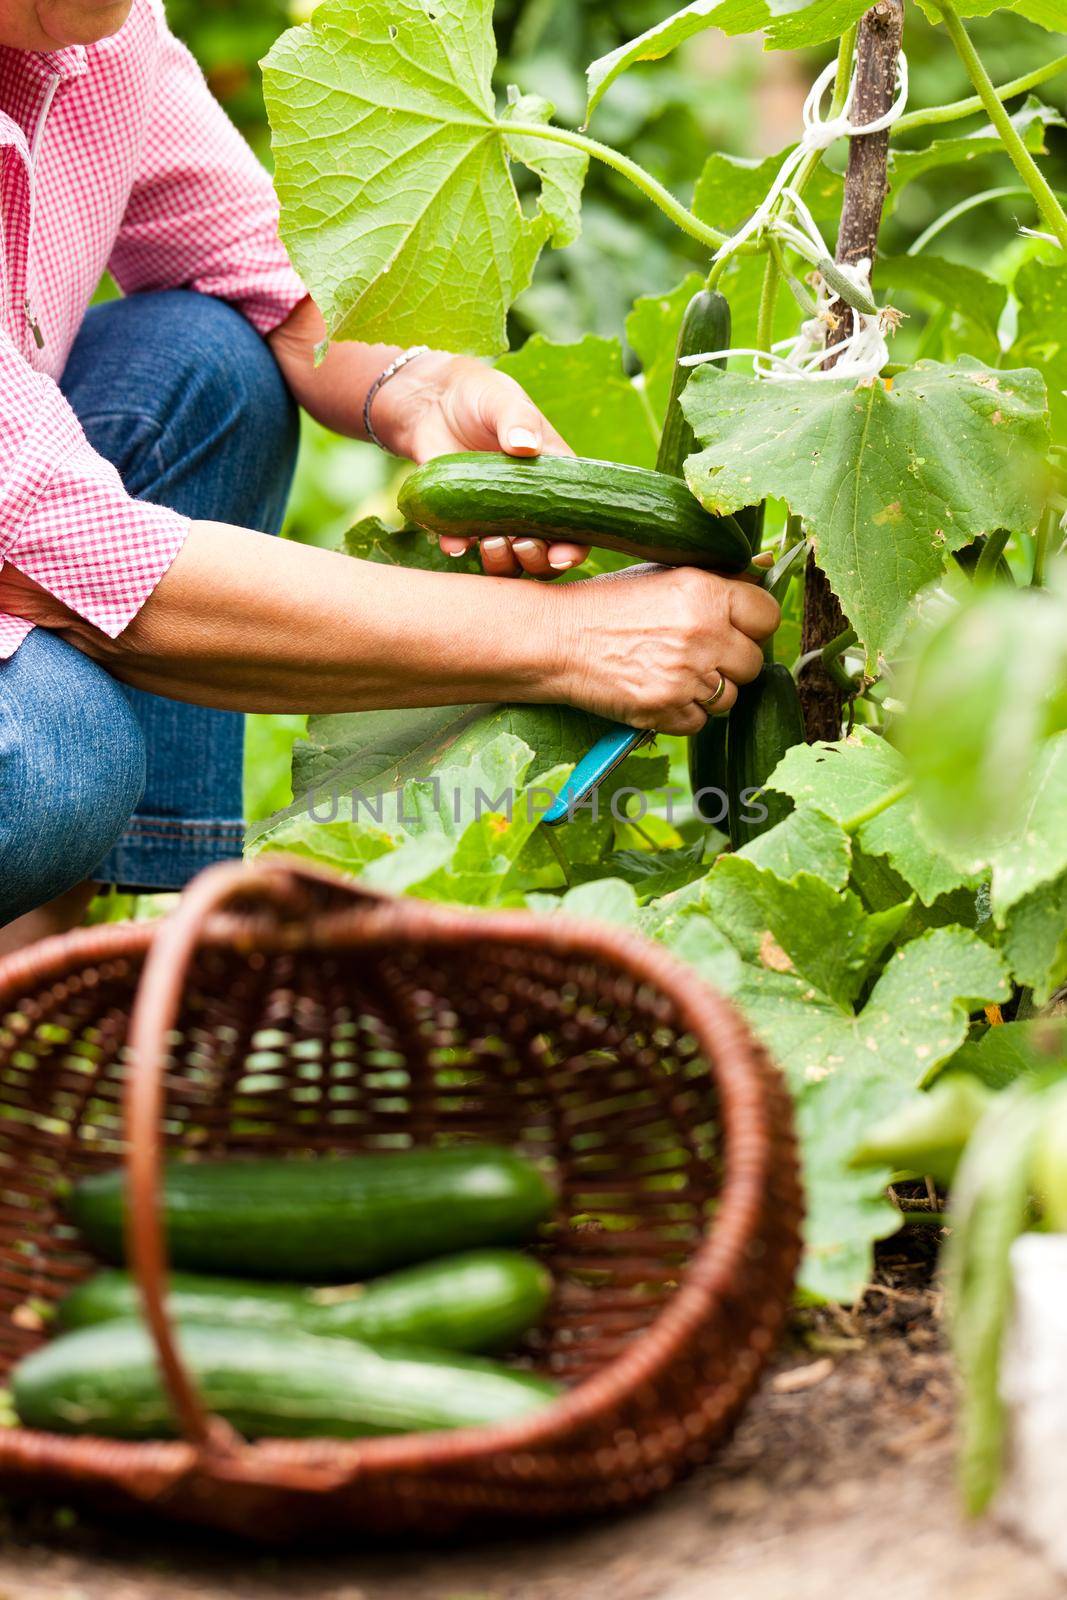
[[889, 479]]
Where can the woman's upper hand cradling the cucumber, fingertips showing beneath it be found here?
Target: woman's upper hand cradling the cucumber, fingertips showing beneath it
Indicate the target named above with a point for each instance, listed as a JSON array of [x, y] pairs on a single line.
[[444, 404]]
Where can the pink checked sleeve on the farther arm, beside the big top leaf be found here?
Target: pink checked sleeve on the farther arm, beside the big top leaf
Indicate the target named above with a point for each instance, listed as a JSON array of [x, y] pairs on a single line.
[[202, 212]]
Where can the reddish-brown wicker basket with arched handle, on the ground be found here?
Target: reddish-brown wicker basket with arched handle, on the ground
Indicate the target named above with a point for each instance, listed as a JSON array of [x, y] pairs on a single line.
[[281, 1010]]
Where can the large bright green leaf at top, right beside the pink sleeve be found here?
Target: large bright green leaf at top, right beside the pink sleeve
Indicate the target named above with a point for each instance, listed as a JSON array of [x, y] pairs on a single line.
[[393, 170]]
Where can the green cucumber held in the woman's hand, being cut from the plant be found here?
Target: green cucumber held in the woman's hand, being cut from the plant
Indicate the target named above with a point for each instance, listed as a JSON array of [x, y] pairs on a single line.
[[617, 508]]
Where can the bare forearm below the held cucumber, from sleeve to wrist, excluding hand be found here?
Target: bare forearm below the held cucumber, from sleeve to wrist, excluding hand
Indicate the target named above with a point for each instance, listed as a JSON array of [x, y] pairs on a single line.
[[250, 623]]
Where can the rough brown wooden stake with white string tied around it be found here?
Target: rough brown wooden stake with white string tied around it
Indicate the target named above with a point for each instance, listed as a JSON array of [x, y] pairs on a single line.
[[866, 183]]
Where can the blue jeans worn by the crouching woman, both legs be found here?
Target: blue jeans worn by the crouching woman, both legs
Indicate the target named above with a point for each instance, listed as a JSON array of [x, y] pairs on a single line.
[[98, 780]]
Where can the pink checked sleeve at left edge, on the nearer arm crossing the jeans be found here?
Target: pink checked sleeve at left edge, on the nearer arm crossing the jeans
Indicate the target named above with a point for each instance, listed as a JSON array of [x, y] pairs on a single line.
[[66, 521]]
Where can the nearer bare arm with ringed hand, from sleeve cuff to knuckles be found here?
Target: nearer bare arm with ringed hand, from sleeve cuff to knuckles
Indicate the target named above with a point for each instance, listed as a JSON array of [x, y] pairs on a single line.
[[252, 623]]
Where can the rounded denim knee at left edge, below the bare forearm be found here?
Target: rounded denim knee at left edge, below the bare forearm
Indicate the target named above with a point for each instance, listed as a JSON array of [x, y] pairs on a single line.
[[73, 766]]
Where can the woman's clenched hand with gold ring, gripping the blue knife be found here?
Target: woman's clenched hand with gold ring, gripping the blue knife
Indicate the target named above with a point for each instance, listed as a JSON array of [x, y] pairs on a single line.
[[650, 646]]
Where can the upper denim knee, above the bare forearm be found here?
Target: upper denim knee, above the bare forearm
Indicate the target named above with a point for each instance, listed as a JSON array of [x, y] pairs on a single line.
[[188, 401]]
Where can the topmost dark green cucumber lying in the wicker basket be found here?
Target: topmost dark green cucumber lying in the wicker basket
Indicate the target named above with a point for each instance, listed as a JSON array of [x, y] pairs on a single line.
[[314, 1220]]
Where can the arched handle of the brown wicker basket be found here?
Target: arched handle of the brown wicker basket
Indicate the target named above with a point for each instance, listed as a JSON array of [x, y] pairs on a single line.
[[279, 881]]
